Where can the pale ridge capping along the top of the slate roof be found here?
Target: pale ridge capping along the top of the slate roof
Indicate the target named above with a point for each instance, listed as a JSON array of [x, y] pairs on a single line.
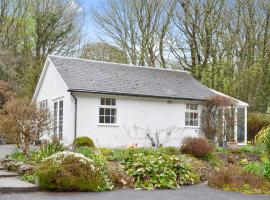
[[122, 64]]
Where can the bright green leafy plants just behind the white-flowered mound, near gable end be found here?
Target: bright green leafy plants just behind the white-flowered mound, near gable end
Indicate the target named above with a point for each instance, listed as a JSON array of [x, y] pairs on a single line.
[[49, 149]]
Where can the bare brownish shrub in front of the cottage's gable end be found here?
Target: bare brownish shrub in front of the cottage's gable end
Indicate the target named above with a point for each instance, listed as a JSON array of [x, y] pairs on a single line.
[[24, 122]]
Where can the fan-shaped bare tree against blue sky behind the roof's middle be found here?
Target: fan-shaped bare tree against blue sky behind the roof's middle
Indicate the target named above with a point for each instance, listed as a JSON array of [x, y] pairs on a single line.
[[139, 28]]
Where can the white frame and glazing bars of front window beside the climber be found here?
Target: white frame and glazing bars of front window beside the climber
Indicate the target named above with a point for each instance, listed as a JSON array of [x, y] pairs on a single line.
[[193, 111]]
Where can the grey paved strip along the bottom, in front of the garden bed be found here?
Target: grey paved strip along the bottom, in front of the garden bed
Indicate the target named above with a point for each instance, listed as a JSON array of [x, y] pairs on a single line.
[[198, 192]]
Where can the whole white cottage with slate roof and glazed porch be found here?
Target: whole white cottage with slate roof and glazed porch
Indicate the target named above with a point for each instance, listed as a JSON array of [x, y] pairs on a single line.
[[118, 105]]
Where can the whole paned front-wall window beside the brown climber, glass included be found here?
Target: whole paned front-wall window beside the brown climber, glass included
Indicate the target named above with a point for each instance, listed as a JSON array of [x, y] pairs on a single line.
[[191, 115]]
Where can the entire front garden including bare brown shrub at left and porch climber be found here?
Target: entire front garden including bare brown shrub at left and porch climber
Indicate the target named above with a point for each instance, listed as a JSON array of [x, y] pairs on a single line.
[[83, 166]]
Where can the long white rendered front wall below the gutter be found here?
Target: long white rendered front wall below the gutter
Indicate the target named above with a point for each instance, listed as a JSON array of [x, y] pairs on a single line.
[[154, 114]]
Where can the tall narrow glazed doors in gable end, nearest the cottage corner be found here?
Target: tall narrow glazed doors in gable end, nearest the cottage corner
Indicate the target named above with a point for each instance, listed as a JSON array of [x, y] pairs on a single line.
[[58, 120]]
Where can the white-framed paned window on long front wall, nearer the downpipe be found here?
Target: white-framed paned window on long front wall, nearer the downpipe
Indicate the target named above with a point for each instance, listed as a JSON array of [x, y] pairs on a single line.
[[107, 111]]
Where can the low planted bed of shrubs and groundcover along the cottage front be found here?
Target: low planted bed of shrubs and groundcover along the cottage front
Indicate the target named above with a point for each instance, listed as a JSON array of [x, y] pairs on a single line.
[[84, 167]]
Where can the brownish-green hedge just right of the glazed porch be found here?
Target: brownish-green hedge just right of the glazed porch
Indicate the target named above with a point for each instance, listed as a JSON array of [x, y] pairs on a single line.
[[256, 121]]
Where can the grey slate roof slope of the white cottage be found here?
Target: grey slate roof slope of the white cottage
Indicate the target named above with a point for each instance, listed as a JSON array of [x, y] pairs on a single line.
[[119, 79]]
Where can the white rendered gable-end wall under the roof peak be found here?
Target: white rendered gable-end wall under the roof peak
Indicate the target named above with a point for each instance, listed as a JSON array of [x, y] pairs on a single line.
[[53, 89]]
